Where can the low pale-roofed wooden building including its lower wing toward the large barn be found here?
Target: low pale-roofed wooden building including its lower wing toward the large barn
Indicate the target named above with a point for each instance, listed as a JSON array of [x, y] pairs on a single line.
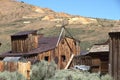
[[97, 58]]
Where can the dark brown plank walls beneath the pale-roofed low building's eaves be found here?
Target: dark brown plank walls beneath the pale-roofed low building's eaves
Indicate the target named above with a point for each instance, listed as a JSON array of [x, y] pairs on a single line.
[[96, 63]]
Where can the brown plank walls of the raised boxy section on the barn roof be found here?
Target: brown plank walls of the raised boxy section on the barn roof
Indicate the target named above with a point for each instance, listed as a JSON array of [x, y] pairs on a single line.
[[24, 44]]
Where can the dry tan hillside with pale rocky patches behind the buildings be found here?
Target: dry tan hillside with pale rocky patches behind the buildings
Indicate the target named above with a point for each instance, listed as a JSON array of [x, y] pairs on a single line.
[[18, 16]]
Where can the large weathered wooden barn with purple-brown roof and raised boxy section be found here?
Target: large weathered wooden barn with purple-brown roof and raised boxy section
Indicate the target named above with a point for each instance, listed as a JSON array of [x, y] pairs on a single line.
[[31, 46]]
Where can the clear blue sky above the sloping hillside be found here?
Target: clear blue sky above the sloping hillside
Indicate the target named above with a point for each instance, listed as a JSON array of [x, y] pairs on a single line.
[[109, 9]]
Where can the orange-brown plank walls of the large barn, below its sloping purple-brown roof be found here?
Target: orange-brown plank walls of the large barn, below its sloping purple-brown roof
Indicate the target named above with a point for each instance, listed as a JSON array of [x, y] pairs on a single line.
[[62, 53]]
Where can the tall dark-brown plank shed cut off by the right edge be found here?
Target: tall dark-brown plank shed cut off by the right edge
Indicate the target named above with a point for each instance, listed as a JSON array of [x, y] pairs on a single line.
[[114, 62]]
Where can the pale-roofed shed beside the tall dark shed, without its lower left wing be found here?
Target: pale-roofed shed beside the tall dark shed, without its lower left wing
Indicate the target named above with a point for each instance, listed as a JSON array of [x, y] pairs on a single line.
[[100, 58]]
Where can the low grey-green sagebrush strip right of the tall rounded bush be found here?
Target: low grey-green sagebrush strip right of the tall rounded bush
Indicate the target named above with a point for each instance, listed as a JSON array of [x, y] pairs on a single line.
[[78, 75]]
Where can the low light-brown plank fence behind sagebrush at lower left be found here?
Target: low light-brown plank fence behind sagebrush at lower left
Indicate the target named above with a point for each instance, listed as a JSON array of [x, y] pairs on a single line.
[[21, 67]]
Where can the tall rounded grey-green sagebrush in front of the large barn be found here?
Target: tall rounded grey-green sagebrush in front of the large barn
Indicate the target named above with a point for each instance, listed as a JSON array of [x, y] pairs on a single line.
[[43, 70]]
